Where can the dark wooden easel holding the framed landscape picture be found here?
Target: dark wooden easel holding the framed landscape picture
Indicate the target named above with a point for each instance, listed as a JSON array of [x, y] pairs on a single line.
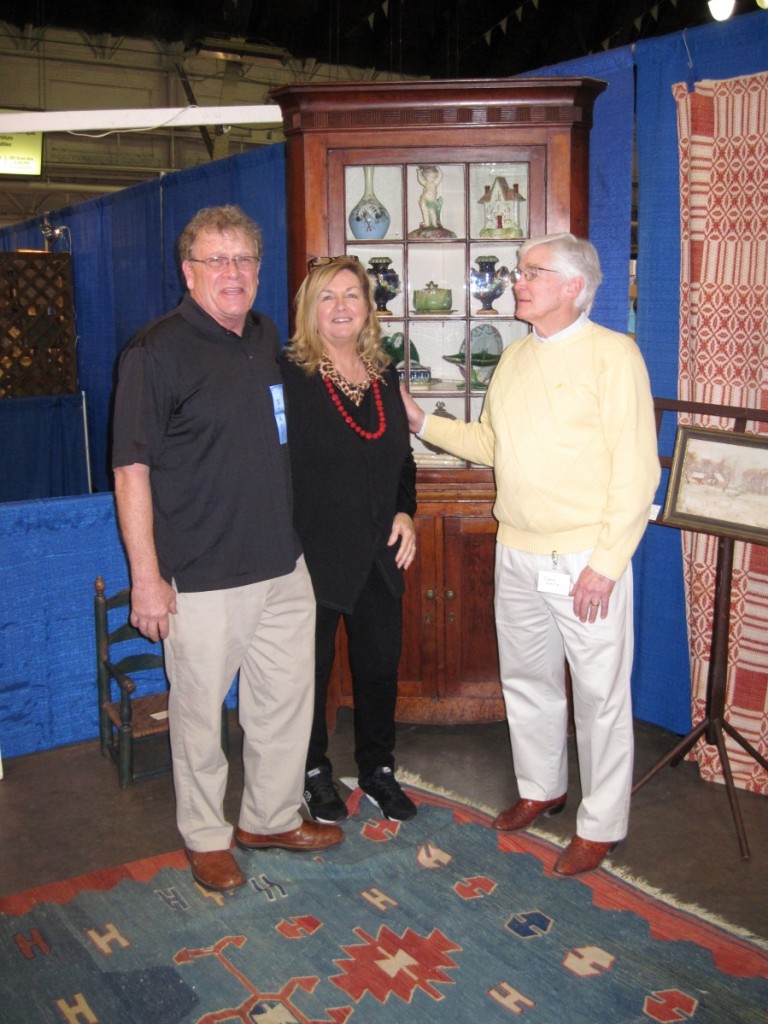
[[714, 724]]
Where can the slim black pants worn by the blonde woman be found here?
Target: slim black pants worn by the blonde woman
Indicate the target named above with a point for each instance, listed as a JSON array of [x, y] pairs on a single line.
[[375, 635]]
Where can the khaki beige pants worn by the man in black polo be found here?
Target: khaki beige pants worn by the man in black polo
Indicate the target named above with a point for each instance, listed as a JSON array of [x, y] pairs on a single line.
[[267, 631]]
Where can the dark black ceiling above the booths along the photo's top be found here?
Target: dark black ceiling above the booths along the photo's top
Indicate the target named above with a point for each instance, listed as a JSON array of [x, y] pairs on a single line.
[[433, 38]]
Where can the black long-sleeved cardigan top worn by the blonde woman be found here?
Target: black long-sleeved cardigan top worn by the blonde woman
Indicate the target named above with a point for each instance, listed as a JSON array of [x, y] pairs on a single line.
[[348, 490]]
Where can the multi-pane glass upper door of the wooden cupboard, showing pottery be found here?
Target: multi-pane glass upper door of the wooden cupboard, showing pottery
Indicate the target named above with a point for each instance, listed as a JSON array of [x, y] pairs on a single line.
[[440, 239]]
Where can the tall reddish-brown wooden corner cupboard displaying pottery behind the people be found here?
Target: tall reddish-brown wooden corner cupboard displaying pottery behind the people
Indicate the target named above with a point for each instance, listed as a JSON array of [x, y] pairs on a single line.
[[435, 186]]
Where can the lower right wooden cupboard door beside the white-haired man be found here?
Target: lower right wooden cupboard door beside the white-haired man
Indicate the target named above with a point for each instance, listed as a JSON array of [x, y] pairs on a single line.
[[472, 658]]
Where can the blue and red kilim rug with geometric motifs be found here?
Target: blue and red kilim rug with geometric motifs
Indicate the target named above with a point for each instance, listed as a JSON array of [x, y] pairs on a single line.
[[439, 919]]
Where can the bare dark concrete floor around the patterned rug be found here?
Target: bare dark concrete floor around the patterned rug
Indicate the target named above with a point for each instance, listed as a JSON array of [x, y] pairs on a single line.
[[63, 815]]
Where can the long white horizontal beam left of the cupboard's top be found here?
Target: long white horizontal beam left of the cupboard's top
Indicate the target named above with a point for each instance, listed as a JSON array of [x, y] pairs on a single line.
[[160, 117]]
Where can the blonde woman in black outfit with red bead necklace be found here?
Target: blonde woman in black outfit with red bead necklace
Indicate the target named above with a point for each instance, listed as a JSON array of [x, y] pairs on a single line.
[[355, 493]]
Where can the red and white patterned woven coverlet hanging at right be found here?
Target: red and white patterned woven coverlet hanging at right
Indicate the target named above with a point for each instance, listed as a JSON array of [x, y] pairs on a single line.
[[723, 142]]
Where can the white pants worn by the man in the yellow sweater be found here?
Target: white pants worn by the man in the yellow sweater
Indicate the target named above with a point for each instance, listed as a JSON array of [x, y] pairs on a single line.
[[537, 633]]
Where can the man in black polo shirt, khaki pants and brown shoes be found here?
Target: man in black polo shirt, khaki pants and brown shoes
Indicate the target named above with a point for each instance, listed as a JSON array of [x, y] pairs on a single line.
[[203, 489]]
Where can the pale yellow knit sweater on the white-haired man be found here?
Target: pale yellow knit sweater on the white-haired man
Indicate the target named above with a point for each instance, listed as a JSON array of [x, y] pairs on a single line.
[[569, 428]]
